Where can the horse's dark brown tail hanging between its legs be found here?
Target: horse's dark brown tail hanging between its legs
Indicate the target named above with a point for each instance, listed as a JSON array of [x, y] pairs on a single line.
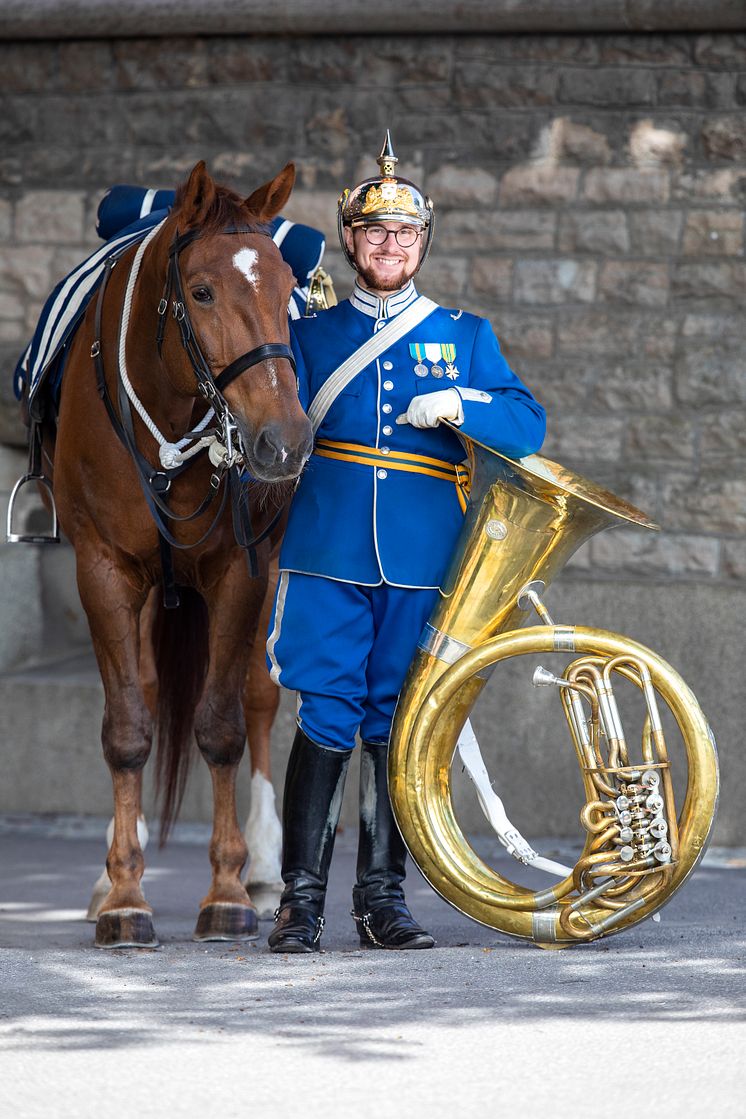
[[181, 646]]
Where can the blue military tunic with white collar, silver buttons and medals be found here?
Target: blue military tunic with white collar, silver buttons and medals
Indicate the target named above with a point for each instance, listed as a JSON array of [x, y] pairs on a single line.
[[366, 524]]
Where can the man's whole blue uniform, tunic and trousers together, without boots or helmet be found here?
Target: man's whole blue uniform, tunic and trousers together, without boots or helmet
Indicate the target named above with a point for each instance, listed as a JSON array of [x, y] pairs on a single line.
[[369, 544]]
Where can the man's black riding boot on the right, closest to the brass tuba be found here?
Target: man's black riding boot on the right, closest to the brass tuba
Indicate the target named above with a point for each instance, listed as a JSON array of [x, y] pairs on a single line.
[[379, 905]]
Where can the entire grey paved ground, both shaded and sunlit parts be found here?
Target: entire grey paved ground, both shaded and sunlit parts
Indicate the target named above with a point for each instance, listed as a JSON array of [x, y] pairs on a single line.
[[647, 1022]]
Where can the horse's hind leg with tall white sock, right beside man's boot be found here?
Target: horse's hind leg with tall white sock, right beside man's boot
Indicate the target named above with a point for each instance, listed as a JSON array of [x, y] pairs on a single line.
[[263, 832]]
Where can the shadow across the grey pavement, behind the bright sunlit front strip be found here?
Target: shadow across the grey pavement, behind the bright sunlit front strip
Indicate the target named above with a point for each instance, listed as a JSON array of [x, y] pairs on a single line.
[[60, 993]]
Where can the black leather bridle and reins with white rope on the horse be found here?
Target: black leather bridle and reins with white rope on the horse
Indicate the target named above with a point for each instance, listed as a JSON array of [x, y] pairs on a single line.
[[226, 453]]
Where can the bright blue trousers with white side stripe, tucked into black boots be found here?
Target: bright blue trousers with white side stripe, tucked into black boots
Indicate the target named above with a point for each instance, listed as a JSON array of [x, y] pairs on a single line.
[[346, 650]]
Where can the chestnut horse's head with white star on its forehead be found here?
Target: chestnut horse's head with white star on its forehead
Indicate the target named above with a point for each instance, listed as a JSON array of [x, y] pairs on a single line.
[[235, 288]]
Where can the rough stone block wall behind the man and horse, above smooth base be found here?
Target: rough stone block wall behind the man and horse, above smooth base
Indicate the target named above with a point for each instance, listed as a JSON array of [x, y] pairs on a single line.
[[590, 200]]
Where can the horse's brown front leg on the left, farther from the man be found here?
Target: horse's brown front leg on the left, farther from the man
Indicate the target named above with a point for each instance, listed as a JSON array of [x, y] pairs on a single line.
[[114, 607]]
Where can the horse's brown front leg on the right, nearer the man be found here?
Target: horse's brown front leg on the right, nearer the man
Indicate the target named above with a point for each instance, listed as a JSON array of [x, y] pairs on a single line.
[[226, 913]]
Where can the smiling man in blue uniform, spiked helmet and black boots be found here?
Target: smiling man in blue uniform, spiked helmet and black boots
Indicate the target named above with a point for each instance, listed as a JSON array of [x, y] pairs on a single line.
[[372, 529]]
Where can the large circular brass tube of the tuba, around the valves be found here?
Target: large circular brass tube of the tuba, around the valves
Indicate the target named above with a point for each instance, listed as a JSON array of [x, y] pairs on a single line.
[[420, 786]]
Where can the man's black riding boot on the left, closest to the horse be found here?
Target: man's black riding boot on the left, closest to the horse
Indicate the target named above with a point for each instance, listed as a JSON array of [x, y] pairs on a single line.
[[315, 785]]
